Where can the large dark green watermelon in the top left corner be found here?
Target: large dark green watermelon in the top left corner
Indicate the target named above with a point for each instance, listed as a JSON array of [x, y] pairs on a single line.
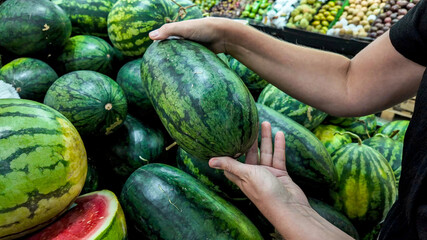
[[33, 27]]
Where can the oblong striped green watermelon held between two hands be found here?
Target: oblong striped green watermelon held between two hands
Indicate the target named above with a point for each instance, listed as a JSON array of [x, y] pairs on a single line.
[[201, 102]]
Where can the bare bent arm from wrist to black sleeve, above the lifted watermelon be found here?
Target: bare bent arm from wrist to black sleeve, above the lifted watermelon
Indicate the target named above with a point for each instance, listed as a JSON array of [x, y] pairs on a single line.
[[330, 82]]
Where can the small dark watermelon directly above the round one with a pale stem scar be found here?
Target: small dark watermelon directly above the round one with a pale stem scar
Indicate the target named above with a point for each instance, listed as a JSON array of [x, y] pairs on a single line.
[[86, 53]]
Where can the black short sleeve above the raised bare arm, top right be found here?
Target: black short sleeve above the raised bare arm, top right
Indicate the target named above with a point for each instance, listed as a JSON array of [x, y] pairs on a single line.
[[409, 35]]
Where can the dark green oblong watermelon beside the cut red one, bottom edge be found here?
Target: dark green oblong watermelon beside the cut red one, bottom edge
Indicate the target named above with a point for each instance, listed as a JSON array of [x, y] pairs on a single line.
[[163, 202]]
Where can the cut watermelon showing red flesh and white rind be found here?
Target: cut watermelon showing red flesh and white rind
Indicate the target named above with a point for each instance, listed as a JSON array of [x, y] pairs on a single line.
[[97, 215]]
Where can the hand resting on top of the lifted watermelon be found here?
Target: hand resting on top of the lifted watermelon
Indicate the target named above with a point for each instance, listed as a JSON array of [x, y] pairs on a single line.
[[208, 31]]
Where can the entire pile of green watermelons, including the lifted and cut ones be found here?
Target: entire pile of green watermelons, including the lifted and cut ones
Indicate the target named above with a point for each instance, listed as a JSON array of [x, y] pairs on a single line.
[[91, 110]]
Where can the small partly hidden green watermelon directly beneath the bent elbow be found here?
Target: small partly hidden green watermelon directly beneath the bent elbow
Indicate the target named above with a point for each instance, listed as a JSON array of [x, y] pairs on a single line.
[[364, 126]]
